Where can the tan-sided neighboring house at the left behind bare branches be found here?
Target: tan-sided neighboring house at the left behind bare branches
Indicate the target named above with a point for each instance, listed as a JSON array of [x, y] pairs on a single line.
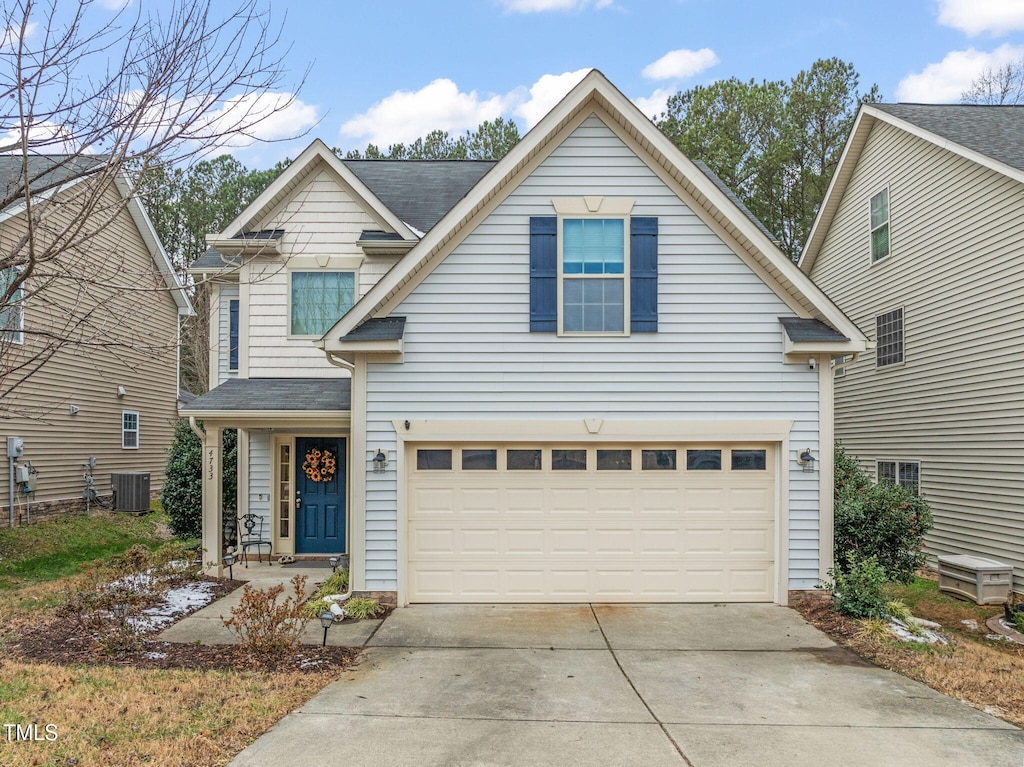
[[96, 328]]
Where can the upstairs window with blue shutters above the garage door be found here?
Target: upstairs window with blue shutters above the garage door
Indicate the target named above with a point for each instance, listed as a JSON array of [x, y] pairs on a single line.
[[593, 276]]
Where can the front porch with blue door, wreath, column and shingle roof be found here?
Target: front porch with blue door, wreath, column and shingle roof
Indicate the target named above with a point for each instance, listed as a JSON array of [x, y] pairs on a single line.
[[294, 461]]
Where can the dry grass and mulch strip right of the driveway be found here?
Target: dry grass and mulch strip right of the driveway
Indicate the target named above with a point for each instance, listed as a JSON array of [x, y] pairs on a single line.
[[971, 668]]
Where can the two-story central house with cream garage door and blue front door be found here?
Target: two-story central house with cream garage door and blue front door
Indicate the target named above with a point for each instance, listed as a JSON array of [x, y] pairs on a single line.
[[587, 375]]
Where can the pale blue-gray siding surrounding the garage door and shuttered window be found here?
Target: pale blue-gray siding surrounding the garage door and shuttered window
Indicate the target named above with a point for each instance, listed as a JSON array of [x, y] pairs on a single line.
[[468, 353]]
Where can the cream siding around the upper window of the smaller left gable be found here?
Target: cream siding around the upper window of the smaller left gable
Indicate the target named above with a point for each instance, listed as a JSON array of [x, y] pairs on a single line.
[[322, 224]]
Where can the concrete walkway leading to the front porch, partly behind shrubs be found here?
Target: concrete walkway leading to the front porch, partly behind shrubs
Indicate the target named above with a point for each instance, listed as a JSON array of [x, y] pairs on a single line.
[[207, 627]]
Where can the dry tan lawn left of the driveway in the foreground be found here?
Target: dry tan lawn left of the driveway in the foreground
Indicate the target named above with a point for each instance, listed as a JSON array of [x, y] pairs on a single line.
[[117, 716]]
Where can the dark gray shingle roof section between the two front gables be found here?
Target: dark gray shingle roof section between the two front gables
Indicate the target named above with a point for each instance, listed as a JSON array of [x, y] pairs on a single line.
[[420, 192]]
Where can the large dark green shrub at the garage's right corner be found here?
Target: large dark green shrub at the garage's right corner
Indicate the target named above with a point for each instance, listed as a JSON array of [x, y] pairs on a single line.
[[884, 522]]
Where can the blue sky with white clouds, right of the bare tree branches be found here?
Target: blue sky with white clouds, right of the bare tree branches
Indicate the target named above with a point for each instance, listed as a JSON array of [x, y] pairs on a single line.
[[387, 71]]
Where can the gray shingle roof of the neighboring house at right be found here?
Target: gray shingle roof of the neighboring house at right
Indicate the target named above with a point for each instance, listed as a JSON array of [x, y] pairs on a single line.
[[996, 132]]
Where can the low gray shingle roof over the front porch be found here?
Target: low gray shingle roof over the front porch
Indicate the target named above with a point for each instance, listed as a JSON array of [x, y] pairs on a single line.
[[277, 395]]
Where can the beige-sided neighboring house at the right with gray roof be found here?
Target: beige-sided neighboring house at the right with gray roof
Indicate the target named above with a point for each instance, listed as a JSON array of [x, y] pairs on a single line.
[[921, 241]]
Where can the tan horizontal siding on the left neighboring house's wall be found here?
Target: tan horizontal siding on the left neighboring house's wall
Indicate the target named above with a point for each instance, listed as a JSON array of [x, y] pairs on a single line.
[[59, 444]]
